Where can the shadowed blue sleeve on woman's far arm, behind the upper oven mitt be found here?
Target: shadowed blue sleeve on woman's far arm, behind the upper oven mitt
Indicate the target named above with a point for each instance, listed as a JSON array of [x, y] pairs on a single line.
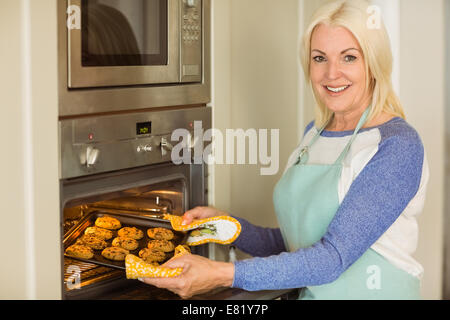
[[258, 241]]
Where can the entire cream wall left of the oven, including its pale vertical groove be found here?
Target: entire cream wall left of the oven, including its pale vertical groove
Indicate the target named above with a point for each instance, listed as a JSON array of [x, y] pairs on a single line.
[[29, 187]]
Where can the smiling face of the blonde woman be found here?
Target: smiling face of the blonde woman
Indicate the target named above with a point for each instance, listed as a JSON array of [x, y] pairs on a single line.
[[337, 70]]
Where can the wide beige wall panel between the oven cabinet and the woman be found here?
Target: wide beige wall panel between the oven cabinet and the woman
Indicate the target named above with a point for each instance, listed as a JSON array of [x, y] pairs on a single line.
[[264, 94]]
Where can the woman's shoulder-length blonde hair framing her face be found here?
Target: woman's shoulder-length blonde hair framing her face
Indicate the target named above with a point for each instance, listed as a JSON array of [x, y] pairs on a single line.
[[376, 48]]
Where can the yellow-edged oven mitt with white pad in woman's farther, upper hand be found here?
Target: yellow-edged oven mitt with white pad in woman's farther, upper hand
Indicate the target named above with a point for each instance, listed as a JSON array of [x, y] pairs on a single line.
[[223, 229]]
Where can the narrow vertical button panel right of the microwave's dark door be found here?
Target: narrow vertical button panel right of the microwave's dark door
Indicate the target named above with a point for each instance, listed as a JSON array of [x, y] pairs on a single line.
[[191, 40]]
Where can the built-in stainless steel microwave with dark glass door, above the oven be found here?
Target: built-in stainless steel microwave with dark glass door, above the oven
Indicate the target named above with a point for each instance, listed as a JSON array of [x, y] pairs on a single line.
[[117, 55]]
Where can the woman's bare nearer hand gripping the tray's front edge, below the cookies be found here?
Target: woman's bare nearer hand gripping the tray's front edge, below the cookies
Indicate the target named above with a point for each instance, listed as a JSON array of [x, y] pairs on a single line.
[[199, 275]]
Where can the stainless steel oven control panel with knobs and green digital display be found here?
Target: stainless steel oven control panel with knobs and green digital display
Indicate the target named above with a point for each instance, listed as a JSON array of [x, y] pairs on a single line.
[[117, 142]]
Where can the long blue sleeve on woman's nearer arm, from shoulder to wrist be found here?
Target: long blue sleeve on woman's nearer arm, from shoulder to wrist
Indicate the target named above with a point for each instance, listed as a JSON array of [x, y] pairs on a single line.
[[374, 201]]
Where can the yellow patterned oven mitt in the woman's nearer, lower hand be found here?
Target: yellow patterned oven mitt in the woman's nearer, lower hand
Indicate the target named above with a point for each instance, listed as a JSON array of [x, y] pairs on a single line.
[[138, 268]]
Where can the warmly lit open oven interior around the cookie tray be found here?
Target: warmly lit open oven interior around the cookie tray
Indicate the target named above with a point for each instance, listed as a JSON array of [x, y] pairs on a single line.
[[84, 280]]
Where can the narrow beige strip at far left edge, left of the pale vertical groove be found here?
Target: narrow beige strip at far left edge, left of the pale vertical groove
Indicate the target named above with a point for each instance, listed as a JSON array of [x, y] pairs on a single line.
[[12, 274]]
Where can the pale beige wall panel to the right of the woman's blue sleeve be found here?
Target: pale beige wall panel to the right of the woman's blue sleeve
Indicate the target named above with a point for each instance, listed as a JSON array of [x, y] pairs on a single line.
[[422, 95]]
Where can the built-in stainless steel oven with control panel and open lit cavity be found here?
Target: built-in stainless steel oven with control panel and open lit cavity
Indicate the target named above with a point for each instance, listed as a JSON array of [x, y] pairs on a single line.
[[121, 166]]
